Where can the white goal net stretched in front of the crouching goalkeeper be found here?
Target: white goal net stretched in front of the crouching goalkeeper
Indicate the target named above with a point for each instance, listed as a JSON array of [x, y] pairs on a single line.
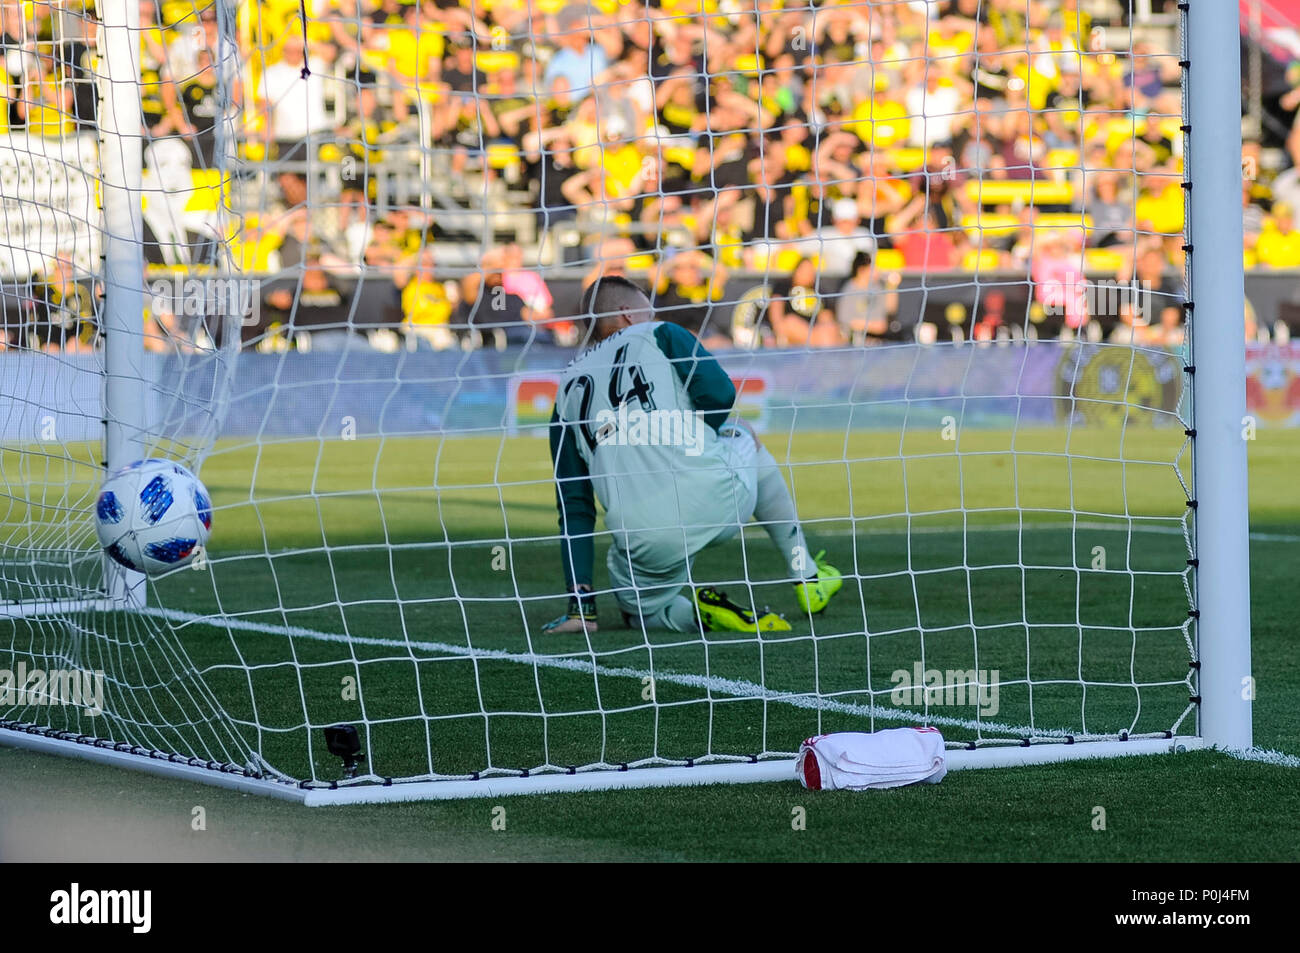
[[337, 266]]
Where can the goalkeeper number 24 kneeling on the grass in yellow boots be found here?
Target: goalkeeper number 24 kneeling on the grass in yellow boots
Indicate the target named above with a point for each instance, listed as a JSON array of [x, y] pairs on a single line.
[[642, 424]]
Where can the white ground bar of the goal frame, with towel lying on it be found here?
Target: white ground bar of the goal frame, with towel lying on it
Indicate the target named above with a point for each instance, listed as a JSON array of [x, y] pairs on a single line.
[[739, 773]]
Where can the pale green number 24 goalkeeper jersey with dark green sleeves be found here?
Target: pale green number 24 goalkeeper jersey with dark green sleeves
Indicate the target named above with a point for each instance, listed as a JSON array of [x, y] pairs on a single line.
[[636, 427]]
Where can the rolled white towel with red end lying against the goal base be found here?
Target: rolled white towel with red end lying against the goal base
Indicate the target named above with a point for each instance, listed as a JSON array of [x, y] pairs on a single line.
[[856, 761]]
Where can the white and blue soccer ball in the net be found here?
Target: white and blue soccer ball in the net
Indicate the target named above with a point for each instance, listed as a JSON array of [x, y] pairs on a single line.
[[153, 517]]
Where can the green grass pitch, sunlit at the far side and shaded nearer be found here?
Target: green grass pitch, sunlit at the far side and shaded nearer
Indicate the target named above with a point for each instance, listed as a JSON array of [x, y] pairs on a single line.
[[375, 562]]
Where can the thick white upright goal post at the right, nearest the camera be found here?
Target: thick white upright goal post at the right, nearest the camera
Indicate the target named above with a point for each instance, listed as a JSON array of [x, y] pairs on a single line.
[[1216, 319]]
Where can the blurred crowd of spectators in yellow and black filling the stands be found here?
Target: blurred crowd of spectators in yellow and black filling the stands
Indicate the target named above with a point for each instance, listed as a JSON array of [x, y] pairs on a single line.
[[834, 150]]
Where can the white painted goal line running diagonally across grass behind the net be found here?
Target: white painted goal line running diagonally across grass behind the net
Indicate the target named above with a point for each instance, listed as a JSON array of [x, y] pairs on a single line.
[[736, 688]]
